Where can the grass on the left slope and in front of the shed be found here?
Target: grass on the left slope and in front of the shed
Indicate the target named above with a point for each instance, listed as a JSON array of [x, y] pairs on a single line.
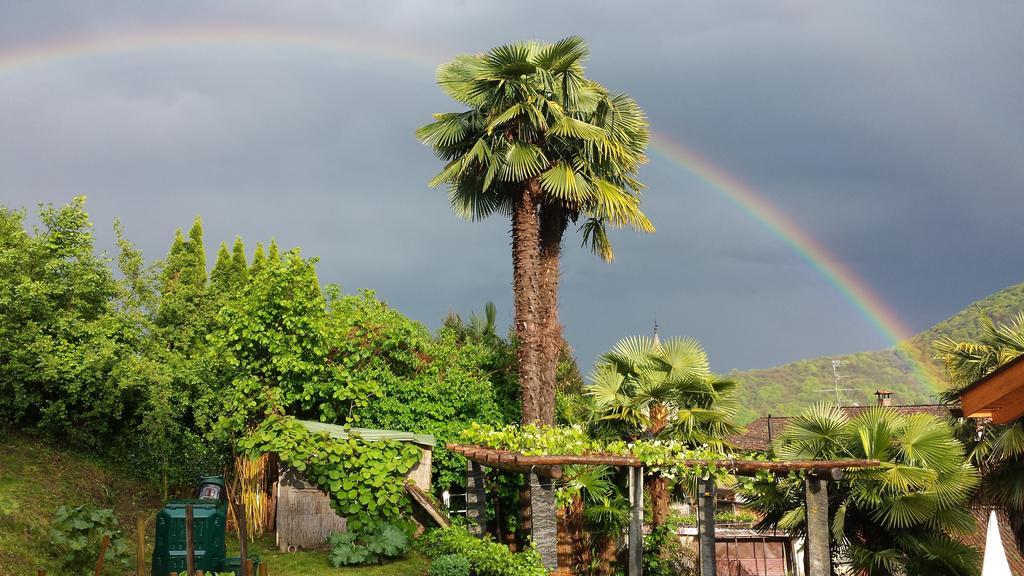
[[36, 479]]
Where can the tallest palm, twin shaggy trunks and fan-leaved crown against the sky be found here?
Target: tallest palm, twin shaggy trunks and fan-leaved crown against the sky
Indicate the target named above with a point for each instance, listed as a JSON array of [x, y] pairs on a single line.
[[544, 146]]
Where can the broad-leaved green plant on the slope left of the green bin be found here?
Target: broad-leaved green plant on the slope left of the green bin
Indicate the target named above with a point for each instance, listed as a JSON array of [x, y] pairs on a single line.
[[78, 531]]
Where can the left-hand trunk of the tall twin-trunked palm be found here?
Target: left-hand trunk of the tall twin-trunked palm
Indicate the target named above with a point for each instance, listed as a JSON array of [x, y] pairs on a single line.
[[526, 266]]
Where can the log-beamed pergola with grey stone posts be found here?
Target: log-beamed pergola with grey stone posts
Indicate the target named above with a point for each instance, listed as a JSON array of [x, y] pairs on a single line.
[[545, 525]]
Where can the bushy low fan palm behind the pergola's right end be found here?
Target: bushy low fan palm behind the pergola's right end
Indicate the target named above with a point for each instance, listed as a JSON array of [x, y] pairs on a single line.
[[902, 518]]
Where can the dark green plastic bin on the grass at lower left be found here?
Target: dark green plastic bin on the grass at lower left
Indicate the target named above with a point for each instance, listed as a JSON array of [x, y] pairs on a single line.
[[209, 522]]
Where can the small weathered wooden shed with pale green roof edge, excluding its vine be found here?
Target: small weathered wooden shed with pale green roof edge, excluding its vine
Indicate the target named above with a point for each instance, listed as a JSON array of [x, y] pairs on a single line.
[[306, 518]]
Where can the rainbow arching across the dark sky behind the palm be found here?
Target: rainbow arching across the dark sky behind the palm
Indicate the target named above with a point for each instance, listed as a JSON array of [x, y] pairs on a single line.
[[753, 204]]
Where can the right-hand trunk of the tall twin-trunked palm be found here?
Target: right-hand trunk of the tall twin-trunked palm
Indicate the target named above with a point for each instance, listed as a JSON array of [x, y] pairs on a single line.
[[553, 223]]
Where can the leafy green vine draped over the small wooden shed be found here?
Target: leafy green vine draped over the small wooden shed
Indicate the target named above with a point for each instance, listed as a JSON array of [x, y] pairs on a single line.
[[366, 480]]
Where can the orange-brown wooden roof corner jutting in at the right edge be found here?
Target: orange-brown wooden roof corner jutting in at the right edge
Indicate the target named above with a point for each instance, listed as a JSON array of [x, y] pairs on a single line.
[[999, 396]]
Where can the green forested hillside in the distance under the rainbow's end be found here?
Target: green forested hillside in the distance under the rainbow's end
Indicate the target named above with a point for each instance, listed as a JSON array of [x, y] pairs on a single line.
[[786, 390]]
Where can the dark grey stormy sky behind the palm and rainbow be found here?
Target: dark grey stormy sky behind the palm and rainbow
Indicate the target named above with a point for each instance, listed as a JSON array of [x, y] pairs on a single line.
[[893, 134]]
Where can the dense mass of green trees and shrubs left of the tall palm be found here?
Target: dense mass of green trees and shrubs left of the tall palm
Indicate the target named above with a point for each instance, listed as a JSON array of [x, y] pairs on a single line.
[[168, 360]]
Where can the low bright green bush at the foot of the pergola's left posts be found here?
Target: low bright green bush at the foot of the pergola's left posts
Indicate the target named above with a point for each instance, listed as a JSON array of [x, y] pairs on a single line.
[[486, 557]]
